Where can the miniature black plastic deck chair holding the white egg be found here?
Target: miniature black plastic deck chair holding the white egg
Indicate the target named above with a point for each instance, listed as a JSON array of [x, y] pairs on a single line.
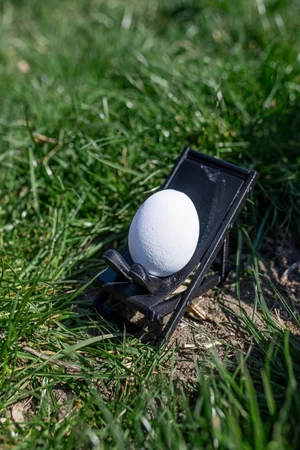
[[219, 191]]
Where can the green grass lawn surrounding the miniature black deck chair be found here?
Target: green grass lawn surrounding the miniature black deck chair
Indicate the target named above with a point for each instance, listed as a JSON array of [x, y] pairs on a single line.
[[97, 99]]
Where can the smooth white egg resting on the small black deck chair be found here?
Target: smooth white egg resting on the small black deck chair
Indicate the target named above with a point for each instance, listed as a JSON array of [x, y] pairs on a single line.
[[164, 232]]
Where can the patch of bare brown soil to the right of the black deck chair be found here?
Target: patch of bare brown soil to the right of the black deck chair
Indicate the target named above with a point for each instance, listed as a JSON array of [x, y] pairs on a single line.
[[219, 327]]
